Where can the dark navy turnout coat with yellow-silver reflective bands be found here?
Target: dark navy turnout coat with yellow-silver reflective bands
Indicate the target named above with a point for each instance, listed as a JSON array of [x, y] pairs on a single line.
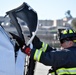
[[62, 61]]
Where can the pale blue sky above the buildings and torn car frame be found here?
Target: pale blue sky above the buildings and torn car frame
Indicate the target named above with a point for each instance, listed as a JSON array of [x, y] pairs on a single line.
[[46, 9]]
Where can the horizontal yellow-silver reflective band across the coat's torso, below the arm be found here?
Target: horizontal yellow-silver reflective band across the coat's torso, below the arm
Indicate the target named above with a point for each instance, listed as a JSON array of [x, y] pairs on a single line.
[[66, 71]]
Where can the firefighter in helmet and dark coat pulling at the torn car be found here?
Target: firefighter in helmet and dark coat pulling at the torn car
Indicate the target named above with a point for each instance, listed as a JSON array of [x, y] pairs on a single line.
[[63, 61]]
